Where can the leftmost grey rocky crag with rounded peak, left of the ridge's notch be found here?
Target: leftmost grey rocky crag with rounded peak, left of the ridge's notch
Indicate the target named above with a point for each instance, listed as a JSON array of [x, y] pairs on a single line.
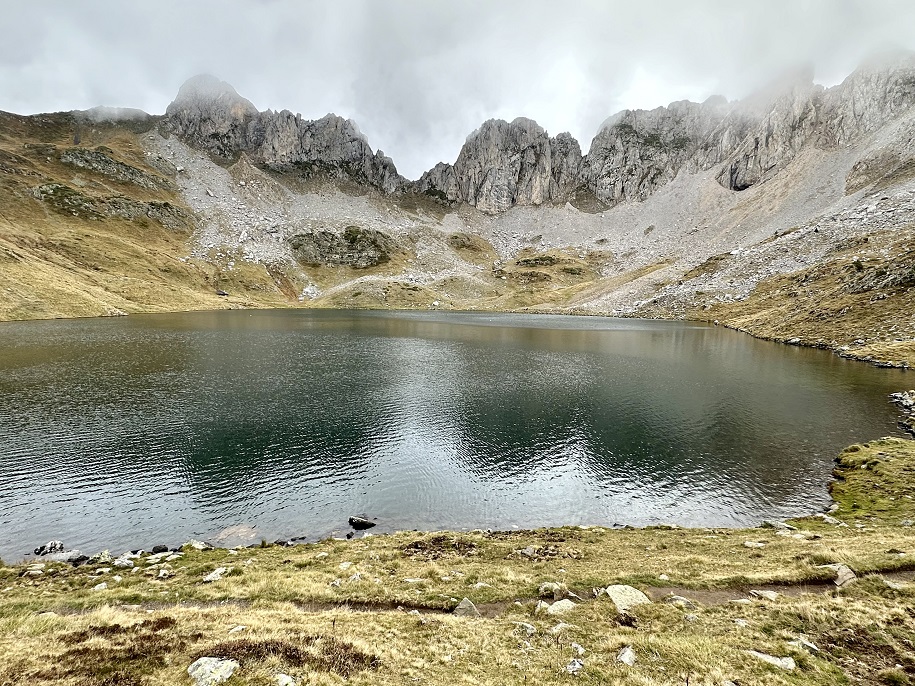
[[210, 115]]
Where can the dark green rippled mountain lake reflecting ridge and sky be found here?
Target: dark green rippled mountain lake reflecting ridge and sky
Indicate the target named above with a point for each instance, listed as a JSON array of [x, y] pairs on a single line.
[[129, 432]]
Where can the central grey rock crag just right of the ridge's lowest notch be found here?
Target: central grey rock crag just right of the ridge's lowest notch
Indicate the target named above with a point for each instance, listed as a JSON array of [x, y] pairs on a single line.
[[504, 164]]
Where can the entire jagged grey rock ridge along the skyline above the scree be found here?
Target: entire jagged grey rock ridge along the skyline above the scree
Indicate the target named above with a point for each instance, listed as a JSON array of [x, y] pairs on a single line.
[[506, 164]]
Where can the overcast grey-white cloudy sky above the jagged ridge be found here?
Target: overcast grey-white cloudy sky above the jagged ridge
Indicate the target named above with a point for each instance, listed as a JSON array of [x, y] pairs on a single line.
[[417, 76]]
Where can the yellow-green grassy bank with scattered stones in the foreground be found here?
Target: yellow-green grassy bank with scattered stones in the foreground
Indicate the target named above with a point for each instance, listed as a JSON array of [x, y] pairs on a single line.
[[378, 610]]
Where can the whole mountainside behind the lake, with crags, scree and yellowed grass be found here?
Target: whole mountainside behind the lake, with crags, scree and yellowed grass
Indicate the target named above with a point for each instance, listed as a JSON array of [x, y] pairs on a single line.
[[694, 210]]
